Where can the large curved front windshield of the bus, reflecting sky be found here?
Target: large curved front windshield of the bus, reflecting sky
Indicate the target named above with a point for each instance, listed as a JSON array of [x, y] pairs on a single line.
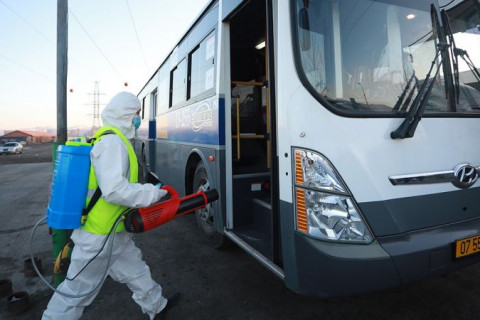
[[372, 57]]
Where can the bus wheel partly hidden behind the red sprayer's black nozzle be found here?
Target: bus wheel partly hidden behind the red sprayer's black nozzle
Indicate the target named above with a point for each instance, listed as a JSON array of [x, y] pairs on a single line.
[[205, 216]]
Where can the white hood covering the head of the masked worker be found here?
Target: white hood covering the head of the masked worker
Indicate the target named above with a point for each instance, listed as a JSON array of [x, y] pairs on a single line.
[[120, 111]]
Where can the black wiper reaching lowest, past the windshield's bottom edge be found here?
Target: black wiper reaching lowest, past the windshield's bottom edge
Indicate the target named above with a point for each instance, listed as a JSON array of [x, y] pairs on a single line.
[[414, 115]]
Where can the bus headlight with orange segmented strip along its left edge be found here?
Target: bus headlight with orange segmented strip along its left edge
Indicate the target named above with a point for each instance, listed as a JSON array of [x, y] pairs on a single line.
[[324, 207]]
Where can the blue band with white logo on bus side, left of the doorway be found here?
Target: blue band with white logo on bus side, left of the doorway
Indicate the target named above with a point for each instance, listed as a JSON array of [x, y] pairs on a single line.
[[201, 123]]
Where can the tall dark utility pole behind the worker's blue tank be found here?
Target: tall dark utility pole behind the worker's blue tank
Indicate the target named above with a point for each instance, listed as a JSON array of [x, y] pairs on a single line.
[[61, 237]]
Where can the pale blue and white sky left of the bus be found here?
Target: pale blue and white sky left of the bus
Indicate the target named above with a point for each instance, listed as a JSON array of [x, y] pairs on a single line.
[[110, 43]]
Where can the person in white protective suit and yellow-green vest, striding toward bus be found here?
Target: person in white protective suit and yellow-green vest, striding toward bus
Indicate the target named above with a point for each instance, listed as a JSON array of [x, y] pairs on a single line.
[[114, 169]]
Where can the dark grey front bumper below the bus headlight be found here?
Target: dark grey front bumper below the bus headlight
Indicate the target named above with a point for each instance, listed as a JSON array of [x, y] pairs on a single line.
[[329, 269]]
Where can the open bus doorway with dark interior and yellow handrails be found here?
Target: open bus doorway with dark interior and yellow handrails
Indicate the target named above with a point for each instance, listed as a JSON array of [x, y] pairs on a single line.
[[252, 218]]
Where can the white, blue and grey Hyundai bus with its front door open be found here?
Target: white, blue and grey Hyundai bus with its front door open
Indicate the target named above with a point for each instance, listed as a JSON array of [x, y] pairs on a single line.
[[343, 137]]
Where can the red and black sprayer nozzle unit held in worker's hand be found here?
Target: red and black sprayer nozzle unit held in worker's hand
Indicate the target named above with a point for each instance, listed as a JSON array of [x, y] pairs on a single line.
[[144, 219]]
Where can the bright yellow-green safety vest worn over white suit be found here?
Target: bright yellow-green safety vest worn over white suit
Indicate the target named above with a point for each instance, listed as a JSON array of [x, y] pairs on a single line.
[[103, 215]]
